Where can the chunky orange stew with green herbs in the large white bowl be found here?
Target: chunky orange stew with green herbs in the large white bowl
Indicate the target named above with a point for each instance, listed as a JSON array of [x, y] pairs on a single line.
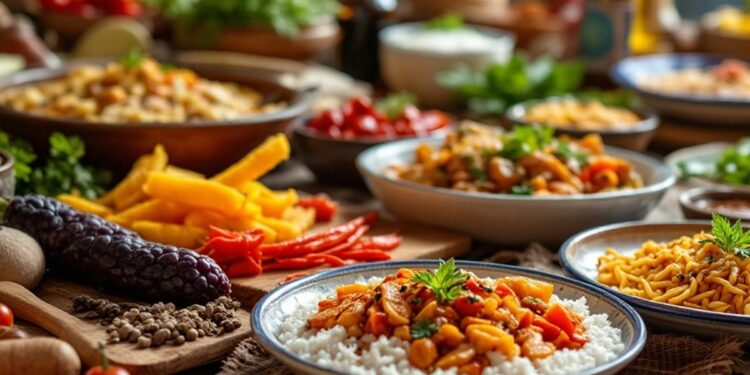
[[526, 161]]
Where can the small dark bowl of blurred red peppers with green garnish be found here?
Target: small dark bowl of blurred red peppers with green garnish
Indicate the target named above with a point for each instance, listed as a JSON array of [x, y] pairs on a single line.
[[329, 142]]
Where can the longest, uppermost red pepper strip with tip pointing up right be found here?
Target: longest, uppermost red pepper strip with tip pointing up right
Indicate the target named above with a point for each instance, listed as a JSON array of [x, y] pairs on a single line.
[[328, 239]]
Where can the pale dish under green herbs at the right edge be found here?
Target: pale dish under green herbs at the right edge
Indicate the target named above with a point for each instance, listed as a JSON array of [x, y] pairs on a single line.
[[707, 155]]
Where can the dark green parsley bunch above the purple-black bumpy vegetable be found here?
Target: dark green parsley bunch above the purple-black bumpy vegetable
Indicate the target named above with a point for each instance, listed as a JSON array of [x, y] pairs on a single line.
[[61, 172]]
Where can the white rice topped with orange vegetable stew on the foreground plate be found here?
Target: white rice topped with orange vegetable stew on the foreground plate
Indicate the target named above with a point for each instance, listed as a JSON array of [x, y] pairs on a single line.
[[529, 334]]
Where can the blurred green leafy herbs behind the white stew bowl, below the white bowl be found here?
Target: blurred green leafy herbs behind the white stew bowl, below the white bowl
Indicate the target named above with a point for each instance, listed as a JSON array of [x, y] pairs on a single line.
[[492, 91]]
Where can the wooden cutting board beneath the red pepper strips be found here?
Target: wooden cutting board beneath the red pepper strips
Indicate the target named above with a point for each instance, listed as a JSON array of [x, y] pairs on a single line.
[[420, 242]]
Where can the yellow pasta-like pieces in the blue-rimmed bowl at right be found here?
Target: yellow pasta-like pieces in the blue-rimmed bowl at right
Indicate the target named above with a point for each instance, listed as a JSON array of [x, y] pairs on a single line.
[[683, 272]]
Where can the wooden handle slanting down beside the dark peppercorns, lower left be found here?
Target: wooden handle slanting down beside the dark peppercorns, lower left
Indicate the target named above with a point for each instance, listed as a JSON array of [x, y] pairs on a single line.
[[29, 307]]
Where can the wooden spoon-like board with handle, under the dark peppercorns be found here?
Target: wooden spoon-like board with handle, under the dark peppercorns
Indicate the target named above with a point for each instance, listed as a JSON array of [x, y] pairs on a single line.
[[48, 307]]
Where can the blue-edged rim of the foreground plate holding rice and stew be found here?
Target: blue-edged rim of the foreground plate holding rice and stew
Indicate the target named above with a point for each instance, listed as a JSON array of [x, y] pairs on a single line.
[[629, 353]]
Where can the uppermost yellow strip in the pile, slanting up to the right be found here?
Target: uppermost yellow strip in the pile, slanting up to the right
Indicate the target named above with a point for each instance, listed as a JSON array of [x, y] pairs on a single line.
[[258, 162]]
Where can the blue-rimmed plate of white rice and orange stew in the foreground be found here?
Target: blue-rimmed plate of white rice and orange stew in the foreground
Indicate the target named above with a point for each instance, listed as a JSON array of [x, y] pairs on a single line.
[[295, 323]]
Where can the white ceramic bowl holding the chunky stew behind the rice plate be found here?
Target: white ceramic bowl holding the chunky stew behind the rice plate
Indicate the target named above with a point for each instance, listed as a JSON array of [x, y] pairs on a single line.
[[504, 218]]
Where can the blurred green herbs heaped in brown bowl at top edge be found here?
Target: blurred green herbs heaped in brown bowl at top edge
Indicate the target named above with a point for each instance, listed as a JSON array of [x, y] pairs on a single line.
[[285, 16]]
